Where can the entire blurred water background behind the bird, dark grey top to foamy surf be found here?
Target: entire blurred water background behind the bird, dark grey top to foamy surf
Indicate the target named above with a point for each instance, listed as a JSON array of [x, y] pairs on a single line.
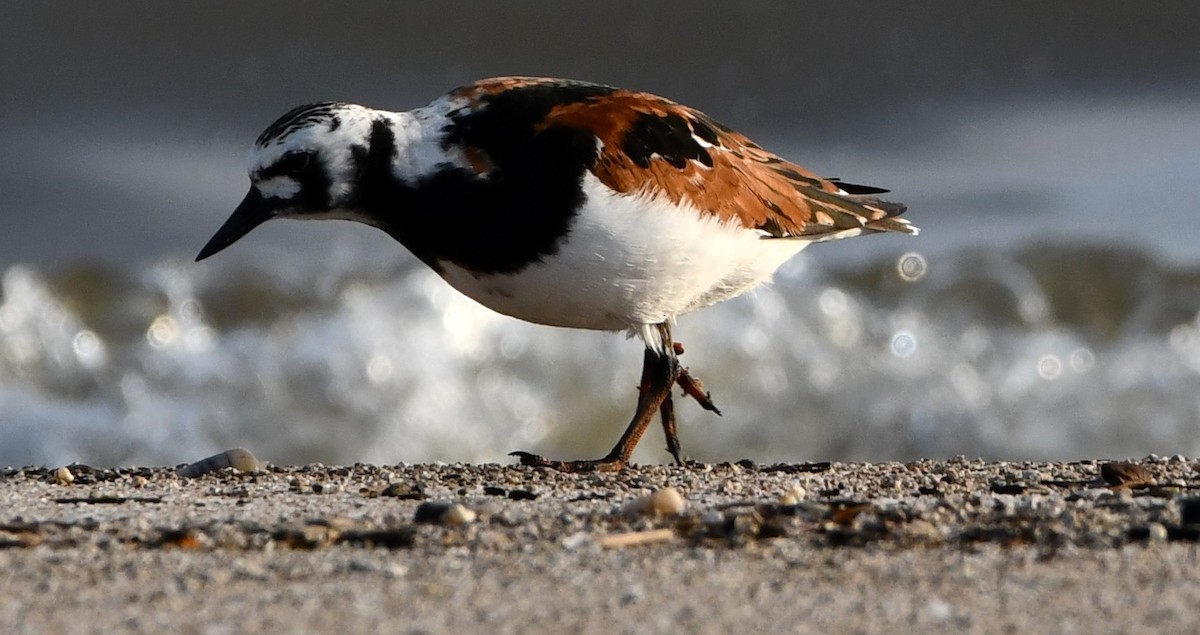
[[1049, 152]]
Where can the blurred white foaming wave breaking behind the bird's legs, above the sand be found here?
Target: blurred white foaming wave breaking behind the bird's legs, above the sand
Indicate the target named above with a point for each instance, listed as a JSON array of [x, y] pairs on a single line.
[[1054, 351]]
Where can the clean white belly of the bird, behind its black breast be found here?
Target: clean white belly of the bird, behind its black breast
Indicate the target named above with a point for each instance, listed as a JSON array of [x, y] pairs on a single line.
[[631, 261]]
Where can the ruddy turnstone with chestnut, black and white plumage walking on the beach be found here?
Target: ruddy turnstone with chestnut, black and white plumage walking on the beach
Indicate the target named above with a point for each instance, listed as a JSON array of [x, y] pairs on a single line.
[[562, 203]]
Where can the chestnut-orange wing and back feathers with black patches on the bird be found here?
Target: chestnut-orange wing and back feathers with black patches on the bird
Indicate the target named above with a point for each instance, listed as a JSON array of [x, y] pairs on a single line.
[[652, 146]]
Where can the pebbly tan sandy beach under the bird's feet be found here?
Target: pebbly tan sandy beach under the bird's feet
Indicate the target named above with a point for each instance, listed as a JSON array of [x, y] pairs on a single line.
[[934, 547]]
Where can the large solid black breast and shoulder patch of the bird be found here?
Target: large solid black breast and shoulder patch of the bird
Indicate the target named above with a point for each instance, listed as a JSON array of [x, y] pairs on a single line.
[[509, 220]]
